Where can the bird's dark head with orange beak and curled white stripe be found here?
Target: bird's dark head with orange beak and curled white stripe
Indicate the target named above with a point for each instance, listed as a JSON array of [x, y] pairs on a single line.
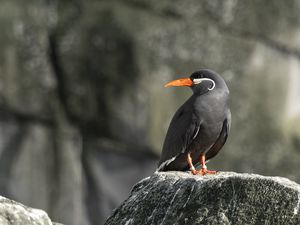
[[201, 81]]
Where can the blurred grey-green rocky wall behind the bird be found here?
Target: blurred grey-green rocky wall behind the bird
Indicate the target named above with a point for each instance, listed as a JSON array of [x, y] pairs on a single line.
[[83, 110]]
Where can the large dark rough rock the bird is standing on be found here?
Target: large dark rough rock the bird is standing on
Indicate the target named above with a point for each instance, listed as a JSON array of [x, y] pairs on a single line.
[[225, 198]]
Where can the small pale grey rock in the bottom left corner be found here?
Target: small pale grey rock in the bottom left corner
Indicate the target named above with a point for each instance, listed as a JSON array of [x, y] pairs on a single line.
[[14, 213]]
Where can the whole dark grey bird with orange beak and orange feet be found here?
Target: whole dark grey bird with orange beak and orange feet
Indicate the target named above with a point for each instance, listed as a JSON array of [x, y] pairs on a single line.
[[200, 127]]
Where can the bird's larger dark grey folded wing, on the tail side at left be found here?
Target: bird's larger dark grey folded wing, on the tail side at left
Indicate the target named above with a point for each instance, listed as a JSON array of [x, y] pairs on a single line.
[[183, 129]]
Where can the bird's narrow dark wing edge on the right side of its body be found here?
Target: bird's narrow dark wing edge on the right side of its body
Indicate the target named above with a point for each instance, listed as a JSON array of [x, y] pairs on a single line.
[[221, 139]]
